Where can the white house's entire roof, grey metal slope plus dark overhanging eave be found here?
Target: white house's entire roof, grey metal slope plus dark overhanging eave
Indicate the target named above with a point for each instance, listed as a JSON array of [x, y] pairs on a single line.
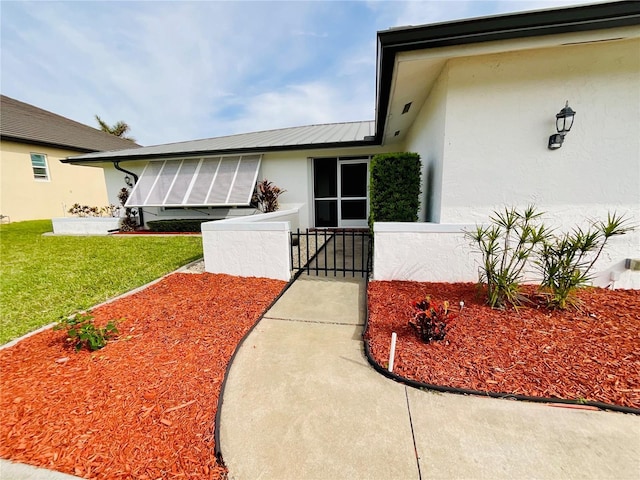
[[390, 43]]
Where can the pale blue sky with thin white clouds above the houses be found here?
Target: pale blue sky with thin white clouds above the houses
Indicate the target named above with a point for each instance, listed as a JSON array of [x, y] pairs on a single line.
[[179, 71]]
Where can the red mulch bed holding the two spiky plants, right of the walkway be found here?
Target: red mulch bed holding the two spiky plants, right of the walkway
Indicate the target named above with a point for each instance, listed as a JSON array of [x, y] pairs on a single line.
[[592, 354]]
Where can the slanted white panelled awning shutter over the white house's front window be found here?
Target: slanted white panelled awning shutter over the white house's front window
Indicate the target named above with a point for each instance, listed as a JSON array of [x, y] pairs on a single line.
[[210, 181]]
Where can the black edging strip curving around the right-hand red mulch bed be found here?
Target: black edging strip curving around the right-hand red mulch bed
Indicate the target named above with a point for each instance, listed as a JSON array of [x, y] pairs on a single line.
[[464, 391]]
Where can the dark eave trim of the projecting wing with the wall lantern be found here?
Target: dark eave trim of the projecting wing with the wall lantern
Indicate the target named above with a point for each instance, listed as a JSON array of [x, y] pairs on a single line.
[[486, 29]]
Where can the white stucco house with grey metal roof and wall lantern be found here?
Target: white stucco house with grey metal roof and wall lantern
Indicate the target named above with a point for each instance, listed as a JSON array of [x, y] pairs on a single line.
[[477, 99]]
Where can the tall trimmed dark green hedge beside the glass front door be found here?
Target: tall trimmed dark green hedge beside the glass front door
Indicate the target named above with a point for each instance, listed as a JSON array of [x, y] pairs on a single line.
[[395, 187]]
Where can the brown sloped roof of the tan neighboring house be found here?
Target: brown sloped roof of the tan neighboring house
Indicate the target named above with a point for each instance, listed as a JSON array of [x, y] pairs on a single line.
[[20, 121]]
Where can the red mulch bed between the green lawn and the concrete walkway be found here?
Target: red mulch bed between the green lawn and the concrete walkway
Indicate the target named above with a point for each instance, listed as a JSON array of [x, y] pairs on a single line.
[[144, 406]]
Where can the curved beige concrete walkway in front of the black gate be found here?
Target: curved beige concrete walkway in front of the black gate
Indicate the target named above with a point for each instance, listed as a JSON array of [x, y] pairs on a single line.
[[301, 402]]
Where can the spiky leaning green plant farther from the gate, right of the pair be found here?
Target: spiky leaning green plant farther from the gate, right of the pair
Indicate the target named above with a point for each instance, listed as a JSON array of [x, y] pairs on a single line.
[[566, 260]]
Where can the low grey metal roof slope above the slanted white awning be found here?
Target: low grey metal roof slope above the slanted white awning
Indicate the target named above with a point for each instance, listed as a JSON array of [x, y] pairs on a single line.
[[294, 138]]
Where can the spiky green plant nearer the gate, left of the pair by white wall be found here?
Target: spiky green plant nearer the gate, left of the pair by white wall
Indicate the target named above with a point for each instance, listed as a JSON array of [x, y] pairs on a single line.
[[506, 247]]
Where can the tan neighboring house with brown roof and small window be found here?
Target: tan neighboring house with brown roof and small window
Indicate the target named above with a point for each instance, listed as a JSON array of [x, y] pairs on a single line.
[[34, 184]]
